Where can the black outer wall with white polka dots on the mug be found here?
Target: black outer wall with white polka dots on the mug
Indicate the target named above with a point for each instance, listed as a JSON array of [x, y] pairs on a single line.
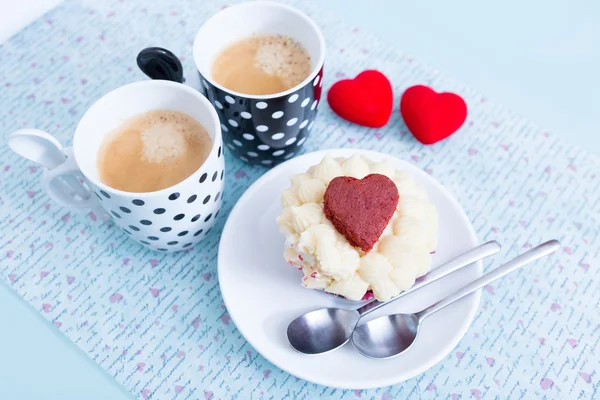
[[254, 130]]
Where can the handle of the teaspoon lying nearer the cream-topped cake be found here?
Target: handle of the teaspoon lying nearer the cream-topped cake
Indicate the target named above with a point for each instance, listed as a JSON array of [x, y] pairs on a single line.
[[471, 256]]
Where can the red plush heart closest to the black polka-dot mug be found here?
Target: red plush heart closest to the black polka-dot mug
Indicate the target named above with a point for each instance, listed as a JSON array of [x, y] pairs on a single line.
[[365, 100]]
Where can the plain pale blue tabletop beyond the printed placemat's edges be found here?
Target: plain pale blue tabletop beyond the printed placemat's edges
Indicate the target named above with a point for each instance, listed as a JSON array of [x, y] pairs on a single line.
[[540, 58]]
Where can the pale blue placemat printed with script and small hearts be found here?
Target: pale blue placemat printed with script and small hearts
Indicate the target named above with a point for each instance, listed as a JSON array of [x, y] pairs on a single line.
[[157, 322]]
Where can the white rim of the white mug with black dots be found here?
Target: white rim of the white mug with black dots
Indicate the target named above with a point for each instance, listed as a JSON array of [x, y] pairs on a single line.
[[77, 137]]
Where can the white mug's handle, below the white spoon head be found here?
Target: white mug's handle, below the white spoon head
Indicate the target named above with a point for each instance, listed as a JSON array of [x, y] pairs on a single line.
[[63, 190]]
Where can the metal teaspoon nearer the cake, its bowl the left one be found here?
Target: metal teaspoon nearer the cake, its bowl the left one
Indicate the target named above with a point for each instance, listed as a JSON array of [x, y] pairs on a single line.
[[327, 329]]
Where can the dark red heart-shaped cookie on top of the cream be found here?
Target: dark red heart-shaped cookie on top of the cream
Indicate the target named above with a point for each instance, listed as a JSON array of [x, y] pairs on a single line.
[[360, 209]]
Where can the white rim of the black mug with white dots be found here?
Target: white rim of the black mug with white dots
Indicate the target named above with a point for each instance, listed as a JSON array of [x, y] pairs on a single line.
[[236, 8]]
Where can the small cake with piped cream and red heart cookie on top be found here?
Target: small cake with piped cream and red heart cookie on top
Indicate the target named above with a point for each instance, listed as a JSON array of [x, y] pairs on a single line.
[[353, 226]]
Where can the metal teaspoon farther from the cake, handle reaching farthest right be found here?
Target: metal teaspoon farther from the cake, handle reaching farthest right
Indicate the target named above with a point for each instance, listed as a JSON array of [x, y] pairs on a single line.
[[391, 335]]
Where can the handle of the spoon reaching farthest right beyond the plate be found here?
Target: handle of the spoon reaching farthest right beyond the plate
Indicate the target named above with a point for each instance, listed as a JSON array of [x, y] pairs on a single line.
[[514, 264]]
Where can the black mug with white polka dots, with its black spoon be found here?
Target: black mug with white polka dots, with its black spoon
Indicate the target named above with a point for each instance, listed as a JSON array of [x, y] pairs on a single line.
[[258, 129]]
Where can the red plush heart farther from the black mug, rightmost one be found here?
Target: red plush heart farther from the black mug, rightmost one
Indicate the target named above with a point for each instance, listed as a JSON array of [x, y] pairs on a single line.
[[432, 116]]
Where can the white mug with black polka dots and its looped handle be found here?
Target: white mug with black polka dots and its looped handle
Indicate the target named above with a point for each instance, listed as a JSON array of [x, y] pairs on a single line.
[[166, 220]]
